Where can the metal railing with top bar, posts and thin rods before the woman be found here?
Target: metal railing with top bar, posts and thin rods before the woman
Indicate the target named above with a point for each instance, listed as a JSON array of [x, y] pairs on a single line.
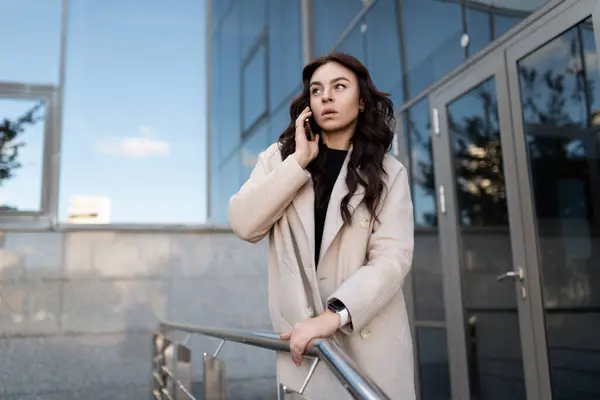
[[172, 374]]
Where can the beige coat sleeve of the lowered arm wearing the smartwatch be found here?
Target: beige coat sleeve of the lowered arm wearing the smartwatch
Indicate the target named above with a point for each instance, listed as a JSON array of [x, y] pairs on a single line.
[[389, 259]]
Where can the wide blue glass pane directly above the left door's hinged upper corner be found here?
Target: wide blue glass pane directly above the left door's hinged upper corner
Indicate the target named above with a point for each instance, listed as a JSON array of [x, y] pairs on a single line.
[[431, 53]]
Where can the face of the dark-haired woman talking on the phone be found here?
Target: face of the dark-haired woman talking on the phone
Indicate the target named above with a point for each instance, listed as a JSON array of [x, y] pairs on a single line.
[[334, 97]]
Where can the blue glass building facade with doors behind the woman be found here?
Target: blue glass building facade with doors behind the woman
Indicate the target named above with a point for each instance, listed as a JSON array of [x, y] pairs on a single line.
[[497, 124]]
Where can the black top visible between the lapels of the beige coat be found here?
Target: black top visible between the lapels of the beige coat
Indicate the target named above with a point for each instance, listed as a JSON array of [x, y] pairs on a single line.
[[334, 159]]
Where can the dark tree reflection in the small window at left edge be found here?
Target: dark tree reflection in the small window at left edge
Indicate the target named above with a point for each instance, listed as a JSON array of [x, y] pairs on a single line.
[[11, 143]]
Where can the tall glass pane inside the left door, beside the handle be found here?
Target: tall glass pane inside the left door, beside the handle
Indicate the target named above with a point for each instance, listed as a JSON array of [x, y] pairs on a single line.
[[493, 342]]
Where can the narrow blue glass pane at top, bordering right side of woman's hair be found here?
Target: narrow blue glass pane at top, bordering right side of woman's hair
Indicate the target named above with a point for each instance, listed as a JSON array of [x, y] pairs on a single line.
[[382, 38]]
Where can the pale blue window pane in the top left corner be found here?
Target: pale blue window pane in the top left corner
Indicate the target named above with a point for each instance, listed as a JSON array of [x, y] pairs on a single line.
[[31, 40]]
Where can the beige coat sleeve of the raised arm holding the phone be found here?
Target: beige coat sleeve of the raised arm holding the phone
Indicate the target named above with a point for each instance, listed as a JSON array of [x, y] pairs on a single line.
[[263, 198]]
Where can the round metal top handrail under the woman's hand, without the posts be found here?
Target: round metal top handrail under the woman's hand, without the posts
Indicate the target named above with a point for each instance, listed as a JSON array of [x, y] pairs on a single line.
[[354, 381]]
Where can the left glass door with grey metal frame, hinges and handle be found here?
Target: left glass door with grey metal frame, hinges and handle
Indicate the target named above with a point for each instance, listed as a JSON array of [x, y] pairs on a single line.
[[482, 232]]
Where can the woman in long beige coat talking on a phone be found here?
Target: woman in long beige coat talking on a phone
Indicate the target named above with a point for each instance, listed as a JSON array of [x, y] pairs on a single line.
[[338, 213]]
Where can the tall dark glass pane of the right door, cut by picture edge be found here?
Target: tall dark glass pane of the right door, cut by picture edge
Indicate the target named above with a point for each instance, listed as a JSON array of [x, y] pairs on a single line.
[[559, 92]]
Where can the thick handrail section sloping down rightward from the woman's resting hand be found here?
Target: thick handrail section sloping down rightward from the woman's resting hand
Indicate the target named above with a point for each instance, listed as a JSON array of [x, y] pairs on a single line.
[[359, 386]]
